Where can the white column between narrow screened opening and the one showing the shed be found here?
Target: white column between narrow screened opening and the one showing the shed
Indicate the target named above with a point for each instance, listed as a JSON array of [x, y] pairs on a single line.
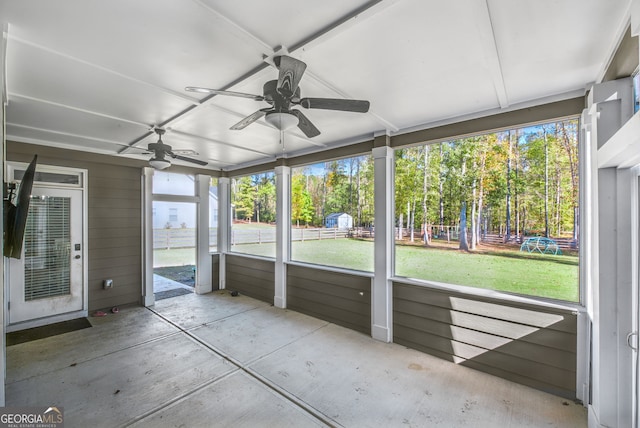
[[283, 228]]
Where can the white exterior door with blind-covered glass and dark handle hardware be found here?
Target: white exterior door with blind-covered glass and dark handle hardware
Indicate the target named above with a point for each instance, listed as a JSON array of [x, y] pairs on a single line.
[[47, 281]]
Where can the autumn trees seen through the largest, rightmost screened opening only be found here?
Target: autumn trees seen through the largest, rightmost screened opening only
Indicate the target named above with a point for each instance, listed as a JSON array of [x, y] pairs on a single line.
[[515, 183]]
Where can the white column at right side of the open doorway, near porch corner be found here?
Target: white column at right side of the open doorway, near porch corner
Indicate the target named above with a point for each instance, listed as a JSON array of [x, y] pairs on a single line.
[[203, 258]]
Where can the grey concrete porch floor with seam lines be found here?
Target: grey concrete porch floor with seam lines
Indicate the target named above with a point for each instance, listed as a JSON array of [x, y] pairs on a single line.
[[217, 360]]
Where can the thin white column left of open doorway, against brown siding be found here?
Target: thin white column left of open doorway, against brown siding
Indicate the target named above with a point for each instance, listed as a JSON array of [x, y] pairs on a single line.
[[147, 237]]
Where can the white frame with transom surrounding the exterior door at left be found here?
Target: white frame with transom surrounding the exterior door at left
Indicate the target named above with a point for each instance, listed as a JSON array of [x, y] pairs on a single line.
[[81, 185]]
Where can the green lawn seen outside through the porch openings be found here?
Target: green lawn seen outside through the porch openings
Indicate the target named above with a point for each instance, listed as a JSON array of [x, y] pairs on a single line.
[[554, 277]]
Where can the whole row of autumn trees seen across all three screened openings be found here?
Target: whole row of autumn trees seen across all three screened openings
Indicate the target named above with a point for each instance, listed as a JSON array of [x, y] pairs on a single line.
[[514, 182]]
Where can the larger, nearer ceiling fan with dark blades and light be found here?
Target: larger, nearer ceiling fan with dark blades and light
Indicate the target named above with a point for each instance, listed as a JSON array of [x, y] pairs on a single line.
[[284, 93]]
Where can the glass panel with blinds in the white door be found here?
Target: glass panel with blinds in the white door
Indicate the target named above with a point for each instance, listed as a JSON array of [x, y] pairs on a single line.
[[47, 245]]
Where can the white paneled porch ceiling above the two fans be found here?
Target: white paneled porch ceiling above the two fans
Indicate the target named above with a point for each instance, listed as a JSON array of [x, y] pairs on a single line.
[[98, 75]]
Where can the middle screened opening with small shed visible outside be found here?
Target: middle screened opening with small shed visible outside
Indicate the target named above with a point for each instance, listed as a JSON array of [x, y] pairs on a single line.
[[332, 213]]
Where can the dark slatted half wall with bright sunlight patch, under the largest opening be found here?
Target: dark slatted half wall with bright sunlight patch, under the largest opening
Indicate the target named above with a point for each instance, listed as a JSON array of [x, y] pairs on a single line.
[[532, 347]]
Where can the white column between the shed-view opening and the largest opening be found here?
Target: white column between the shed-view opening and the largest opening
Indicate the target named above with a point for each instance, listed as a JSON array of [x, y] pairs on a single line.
[[381, 295]]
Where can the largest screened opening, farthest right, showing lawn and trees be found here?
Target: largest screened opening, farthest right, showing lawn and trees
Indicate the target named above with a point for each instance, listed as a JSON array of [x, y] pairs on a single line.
[[496, 211]]
